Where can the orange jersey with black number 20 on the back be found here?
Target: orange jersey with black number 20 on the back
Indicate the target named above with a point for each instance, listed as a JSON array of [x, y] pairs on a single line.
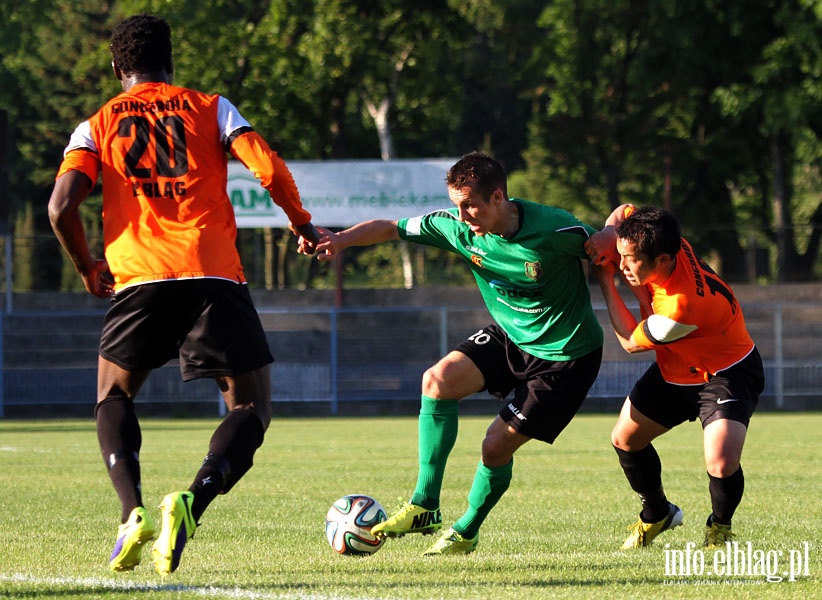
[[163, 154]]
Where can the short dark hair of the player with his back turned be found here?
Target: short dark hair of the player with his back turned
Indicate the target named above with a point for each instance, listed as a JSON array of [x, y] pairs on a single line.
[[141, 44]]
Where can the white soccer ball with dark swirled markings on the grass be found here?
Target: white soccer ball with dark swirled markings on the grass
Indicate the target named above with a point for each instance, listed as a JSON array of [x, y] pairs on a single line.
[[348, 525]]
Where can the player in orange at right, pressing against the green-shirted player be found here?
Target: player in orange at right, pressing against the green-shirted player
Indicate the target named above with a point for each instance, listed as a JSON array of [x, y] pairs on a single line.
[[707, 365]]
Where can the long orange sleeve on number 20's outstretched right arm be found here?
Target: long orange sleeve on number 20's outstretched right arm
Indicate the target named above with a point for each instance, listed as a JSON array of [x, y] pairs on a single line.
[[253, 151]]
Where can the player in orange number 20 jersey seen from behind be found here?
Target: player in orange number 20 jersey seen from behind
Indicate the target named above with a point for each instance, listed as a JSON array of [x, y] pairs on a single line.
[[173, 273]]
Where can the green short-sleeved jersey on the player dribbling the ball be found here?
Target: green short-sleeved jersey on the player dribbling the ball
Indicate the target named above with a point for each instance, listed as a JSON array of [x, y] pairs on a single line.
[[533, 283]]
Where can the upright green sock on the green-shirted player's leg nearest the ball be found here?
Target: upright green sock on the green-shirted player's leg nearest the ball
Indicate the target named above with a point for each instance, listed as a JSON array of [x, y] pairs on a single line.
[[438, 424]]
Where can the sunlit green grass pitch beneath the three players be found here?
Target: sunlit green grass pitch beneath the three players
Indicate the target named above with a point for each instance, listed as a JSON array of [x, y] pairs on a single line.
[[555, 534]]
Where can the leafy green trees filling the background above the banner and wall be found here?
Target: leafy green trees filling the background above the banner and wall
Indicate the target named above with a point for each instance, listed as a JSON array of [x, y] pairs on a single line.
[[713, 109]]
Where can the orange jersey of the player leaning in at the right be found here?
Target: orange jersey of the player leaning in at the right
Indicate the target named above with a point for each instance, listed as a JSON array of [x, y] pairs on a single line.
[[703, 319]]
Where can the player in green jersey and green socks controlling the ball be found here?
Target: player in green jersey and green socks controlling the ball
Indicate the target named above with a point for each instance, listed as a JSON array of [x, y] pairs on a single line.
[[545, 345]]
